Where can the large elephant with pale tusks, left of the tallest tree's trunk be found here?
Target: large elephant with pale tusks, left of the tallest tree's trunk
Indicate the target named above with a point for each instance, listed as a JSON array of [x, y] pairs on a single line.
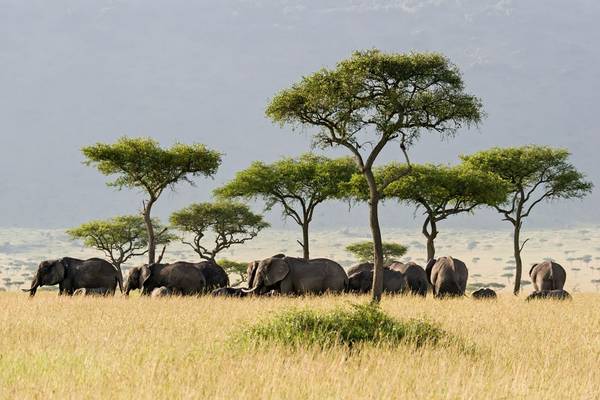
[[290, 275]]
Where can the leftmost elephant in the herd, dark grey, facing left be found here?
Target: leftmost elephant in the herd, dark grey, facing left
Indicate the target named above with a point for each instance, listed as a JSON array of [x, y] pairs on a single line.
[[71, 274]]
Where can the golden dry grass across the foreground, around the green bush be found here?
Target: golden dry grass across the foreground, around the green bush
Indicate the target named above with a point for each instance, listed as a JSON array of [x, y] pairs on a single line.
[[57, 347]]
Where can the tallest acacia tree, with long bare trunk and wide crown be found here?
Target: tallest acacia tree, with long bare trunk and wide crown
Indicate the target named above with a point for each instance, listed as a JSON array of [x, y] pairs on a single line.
[[372, 99]]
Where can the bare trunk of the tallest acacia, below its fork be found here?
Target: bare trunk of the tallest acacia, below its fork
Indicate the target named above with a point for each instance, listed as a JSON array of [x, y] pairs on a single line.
[[377, 289]]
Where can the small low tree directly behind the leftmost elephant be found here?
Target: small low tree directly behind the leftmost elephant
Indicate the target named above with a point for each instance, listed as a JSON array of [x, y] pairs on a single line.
[[120, 238]]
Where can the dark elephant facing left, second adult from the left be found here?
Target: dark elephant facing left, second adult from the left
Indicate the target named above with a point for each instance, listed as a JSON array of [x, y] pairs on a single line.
[[180, 277]]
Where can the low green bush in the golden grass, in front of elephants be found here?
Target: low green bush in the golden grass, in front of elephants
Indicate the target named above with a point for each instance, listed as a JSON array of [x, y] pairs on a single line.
[[361, 324]]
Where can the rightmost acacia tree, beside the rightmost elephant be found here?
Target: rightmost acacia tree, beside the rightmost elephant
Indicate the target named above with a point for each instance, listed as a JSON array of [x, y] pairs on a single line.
[[532, 174]]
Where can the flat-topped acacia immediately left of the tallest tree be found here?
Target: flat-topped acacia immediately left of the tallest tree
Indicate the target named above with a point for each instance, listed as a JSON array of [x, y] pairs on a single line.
[[297, 185]]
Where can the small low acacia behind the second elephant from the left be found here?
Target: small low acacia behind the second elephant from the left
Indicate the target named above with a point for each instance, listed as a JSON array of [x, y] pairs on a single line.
[[231, 223]]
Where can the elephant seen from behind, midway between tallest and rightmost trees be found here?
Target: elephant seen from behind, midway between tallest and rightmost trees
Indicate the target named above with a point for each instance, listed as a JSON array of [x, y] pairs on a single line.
[[448, 276]]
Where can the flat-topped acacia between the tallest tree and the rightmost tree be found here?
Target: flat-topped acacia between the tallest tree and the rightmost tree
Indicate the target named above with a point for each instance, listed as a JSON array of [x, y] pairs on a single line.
[[441, 191]]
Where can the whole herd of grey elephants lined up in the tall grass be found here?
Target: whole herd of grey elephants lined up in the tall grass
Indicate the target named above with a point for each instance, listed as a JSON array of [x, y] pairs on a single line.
[[281, 275]]
